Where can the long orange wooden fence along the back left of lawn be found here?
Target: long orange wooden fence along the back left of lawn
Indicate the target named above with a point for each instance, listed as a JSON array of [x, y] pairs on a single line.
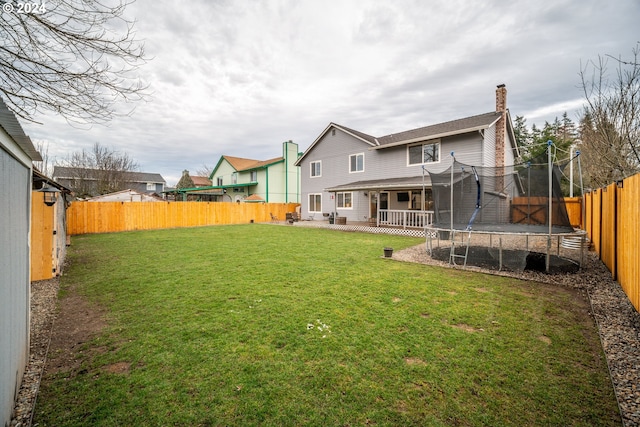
[[106, 217]]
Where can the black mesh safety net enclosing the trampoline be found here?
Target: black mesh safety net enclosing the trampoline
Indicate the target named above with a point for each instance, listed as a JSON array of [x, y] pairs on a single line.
[[511, 198]]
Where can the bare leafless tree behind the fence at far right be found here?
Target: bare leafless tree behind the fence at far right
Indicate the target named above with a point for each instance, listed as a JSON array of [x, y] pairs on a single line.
[[610, 124]]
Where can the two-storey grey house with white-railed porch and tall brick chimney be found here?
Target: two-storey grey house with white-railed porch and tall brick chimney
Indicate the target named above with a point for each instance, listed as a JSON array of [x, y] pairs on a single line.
[[350, 174]]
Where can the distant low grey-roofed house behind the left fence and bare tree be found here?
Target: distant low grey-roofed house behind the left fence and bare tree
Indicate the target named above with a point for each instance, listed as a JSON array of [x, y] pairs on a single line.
[[92, 182]]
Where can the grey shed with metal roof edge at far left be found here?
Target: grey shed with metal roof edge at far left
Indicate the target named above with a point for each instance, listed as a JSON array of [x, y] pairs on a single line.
[[17, 154]]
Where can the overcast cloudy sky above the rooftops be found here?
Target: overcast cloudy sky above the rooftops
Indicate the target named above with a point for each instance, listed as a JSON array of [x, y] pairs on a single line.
[[240, 77]]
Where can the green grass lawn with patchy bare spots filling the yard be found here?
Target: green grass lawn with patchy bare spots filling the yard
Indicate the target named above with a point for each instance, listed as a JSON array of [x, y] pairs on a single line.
[[274, 326]]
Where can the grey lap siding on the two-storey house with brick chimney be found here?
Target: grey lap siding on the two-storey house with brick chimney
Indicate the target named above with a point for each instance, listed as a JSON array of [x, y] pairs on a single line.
[[334, 150]]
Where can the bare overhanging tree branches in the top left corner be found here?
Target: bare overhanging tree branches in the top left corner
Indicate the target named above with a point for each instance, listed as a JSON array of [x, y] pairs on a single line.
[[73, 57]]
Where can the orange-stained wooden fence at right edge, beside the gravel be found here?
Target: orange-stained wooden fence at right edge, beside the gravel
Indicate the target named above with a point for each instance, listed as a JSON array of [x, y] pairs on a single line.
[[612, 222]]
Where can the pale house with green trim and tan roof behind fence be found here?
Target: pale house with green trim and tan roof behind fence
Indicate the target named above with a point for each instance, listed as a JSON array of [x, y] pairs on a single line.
[[236, 179]]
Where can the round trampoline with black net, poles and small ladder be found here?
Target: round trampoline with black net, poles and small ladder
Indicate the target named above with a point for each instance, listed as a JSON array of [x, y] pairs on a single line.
[[504, 217]]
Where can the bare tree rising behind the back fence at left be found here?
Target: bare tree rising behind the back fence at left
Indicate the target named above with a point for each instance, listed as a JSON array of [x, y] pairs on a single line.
[[101, 170]]
